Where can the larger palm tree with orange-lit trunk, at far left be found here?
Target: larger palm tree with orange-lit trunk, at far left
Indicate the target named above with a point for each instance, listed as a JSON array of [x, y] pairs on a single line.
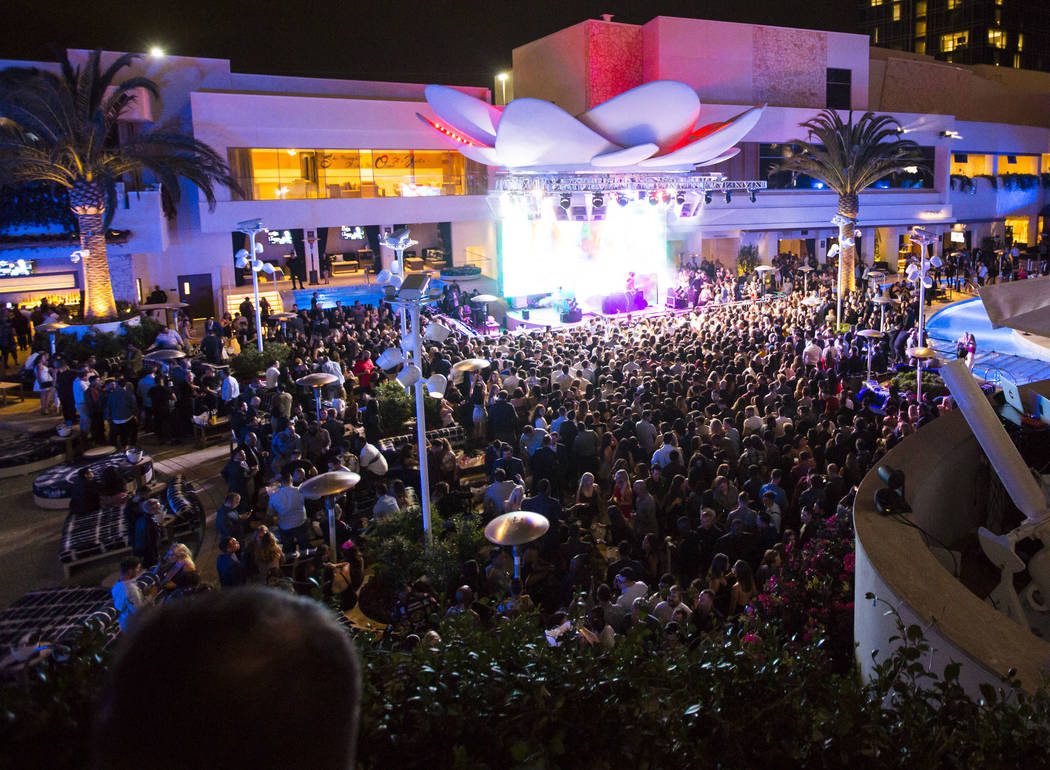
[[62, 130]]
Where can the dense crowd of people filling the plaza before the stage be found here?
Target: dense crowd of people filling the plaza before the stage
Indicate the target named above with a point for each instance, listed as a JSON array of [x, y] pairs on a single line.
[[678, 456]]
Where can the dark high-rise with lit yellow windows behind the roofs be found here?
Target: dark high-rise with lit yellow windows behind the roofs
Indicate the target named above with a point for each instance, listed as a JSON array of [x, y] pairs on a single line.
[[1001, 33]]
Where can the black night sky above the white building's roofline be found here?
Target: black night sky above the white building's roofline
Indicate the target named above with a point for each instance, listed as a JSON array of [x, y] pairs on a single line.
[[464, 43]]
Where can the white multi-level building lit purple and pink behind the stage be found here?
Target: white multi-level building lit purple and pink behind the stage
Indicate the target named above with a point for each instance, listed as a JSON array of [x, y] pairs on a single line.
[[328, 159]]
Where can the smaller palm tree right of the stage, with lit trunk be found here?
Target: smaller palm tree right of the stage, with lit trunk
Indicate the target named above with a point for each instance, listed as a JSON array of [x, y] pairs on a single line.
[[850, 158]]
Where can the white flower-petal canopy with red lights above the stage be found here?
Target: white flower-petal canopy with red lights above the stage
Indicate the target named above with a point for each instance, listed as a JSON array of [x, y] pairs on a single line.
[[652, 128]]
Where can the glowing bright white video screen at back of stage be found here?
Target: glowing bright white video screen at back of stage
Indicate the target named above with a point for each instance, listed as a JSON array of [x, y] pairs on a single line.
[[587, 260]]
